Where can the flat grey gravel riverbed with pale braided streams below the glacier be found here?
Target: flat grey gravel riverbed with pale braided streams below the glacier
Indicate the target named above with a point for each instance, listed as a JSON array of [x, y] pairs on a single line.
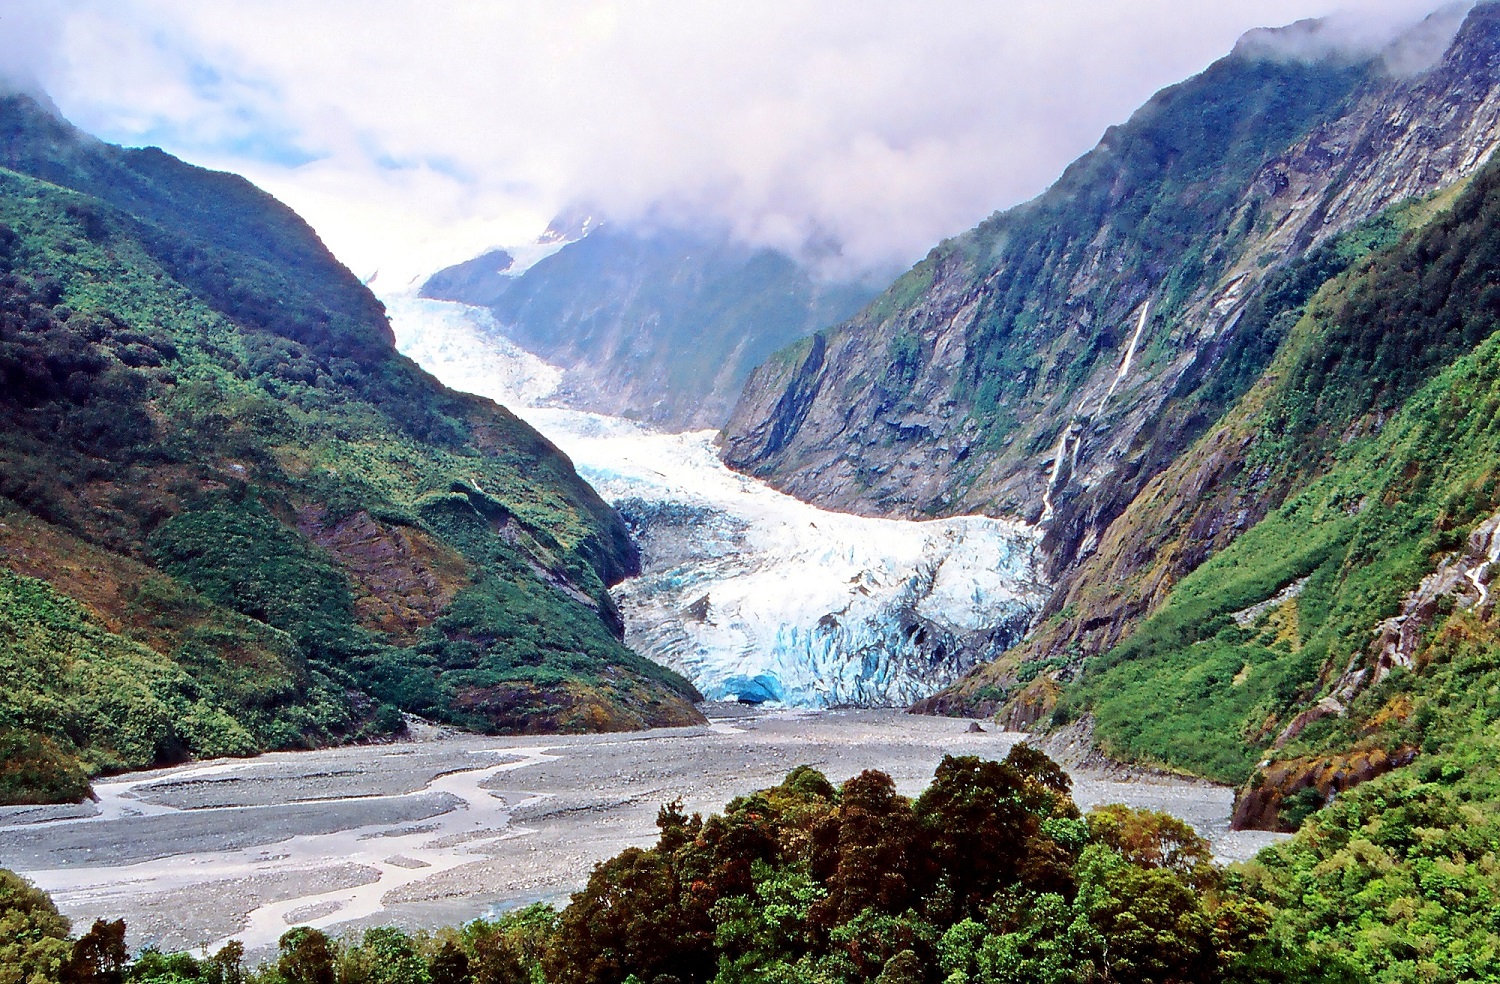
[[449, 827]]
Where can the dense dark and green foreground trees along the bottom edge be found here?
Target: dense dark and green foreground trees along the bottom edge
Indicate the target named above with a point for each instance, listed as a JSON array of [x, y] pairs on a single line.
[[989, 877]]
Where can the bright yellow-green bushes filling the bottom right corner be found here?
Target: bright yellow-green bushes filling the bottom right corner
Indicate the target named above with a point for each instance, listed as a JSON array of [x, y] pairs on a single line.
[[1400, 877]]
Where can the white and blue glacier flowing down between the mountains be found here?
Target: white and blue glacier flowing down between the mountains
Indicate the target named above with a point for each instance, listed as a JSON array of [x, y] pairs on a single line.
[[751, 593]]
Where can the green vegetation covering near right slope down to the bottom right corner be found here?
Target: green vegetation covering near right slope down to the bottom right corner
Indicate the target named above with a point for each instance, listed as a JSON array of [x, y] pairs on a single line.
[[1364, 416]]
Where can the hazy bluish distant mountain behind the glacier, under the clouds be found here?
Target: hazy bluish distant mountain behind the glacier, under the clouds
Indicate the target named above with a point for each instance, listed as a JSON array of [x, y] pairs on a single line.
[[661, 326]]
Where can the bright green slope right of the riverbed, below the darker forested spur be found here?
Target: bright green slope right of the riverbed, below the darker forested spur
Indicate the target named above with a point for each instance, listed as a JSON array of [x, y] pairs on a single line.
[[1198, 691]]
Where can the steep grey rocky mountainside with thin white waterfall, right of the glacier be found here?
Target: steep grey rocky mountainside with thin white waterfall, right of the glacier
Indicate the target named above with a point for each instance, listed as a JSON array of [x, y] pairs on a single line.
[[991, 377]]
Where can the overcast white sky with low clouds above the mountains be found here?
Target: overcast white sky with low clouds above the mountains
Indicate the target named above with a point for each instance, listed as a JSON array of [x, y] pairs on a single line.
[[415, 134]]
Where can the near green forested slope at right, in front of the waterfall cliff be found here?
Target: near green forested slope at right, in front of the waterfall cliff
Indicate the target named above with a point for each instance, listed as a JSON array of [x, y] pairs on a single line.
[[1352, 628]]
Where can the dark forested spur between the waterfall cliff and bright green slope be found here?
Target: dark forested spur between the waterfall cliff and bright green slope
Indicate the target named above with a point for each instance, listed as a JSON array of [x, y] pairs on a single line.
[[1339, 377]]
